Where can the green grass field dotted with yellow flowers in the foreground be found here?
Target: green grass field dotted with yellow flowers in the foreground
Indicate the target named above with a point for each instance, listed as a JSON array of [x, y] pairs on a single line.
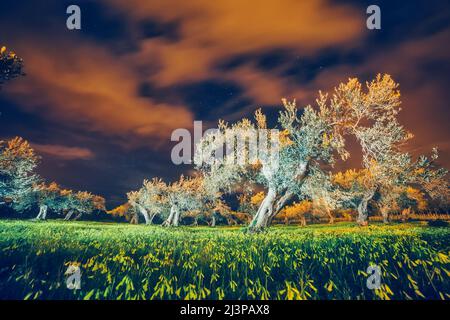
[[120, 261]]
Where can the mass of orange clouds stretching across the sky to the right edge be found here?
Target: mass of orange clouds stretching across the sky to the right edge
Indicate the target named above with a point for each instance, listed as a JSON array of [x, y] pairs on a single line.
[[80, 82]]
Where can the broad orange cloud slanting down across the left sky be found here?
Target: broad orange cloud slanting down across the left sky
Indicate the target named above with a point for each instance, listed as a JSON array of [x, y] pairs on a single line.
[[86, 86]]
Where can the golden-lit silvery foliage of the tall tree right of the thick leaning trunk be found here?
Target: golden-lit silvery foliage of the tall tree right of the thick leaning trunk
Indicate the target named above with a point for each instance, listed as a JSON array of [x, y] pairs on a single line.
[[390, 168]]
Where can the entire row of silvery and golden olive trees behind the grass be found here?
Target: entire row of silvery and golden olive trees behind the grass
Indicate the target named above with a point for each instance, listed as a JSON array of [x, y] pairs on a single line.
[[310, 142]]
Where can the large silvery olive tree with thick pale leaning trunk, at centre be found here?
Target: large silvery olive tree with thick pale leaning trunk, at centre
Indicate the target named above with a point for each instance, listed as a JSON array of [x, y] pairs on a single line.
[[301, 141]]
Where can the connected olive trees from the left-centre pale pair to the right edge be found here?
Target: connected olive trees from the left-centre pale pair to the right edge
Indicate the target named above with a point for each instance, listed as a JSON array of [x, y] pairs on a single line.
[[311, 142]]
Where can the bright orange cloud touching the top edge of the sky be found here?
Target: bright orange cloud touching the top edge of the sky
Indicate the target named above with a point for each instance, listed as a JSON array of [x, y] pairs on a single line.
[[212, 31]]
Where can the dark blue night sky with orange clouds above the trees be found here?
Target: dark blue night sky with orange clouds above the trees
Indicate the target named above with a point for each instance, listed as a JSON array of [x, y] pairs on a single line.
[[99, 104]]
